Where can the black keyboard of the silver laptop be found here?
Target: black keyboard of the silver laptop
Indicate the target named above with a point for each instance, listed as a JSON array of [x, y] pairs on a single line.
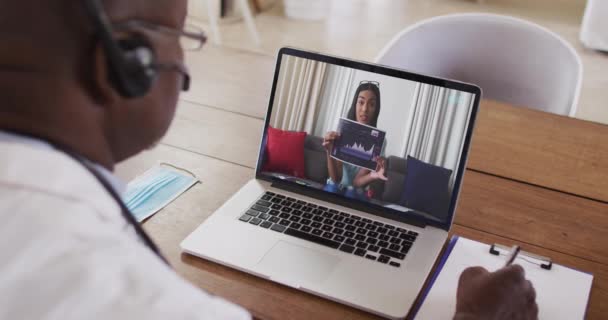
[[342, 231]]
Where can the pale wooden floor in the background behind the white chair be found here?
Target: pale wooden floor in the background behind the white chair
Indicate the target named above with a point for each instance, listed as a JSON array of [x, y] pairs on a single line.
[[360, 28]]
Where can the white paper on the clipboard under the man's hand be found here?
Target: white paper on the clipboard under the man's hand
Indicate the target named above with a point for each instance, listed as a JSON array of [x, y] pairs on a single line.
[[562, 293]]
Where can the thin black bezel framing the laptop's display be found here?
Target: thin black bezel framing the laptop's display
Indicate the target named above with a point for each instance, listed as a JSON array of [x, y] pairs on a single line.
[[388, 213]]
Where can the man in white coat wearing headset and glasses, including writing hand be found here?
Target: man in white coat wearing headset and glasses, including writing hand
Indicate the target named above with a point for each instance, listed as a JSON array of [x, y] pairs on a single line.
[[85, 84]]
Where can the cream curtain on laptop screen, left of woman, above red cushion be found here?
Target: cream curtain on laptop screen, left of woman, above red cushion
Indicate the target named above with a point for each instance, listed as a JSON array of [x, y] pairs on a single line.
[[297, 95]]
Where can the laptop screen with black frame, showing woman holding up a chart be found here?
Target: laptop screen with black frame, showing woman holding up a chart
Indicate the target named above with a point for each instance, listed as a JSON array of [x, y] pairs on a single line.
[[370, 136]]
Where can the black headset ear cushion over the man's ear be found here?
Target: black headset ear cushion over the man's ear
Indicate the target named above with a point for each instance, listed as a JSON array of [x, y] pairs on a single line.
[[139, 60]]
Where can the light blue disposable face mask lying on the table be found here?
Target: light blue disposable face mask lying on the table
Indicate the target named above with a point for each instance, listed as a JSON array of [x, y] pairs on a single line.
[[155, 189]]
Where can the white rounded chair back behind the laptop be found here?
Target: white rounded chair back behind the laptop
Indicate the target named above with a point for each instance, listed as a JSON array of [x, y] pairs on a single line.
[[512, 60]]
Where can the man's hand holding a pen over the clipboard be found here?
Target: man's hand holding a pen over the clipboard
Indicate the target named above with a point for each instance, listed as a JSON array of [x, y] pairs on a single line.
[[504, 294]]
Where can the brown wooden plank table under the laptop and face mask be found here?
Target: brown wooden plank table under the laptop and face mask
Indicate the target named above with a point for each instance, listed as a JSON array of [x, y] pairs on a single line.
[[535, 179]]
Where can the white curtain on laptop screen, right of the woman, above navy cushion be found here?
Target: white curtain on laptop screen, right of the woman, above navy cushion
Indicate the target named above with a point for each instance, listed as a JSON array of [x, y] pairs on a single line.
[[437, 125]]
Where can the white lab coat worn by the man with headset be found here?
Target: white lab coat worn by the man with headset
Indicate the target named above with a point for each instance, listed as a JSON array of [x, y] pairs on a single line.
[[66, 252]]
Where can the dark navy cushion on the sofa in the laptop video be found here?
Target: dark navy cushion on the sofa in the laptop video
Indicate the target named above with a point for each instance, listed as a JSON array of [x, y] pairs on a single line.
[[426, 188]]
